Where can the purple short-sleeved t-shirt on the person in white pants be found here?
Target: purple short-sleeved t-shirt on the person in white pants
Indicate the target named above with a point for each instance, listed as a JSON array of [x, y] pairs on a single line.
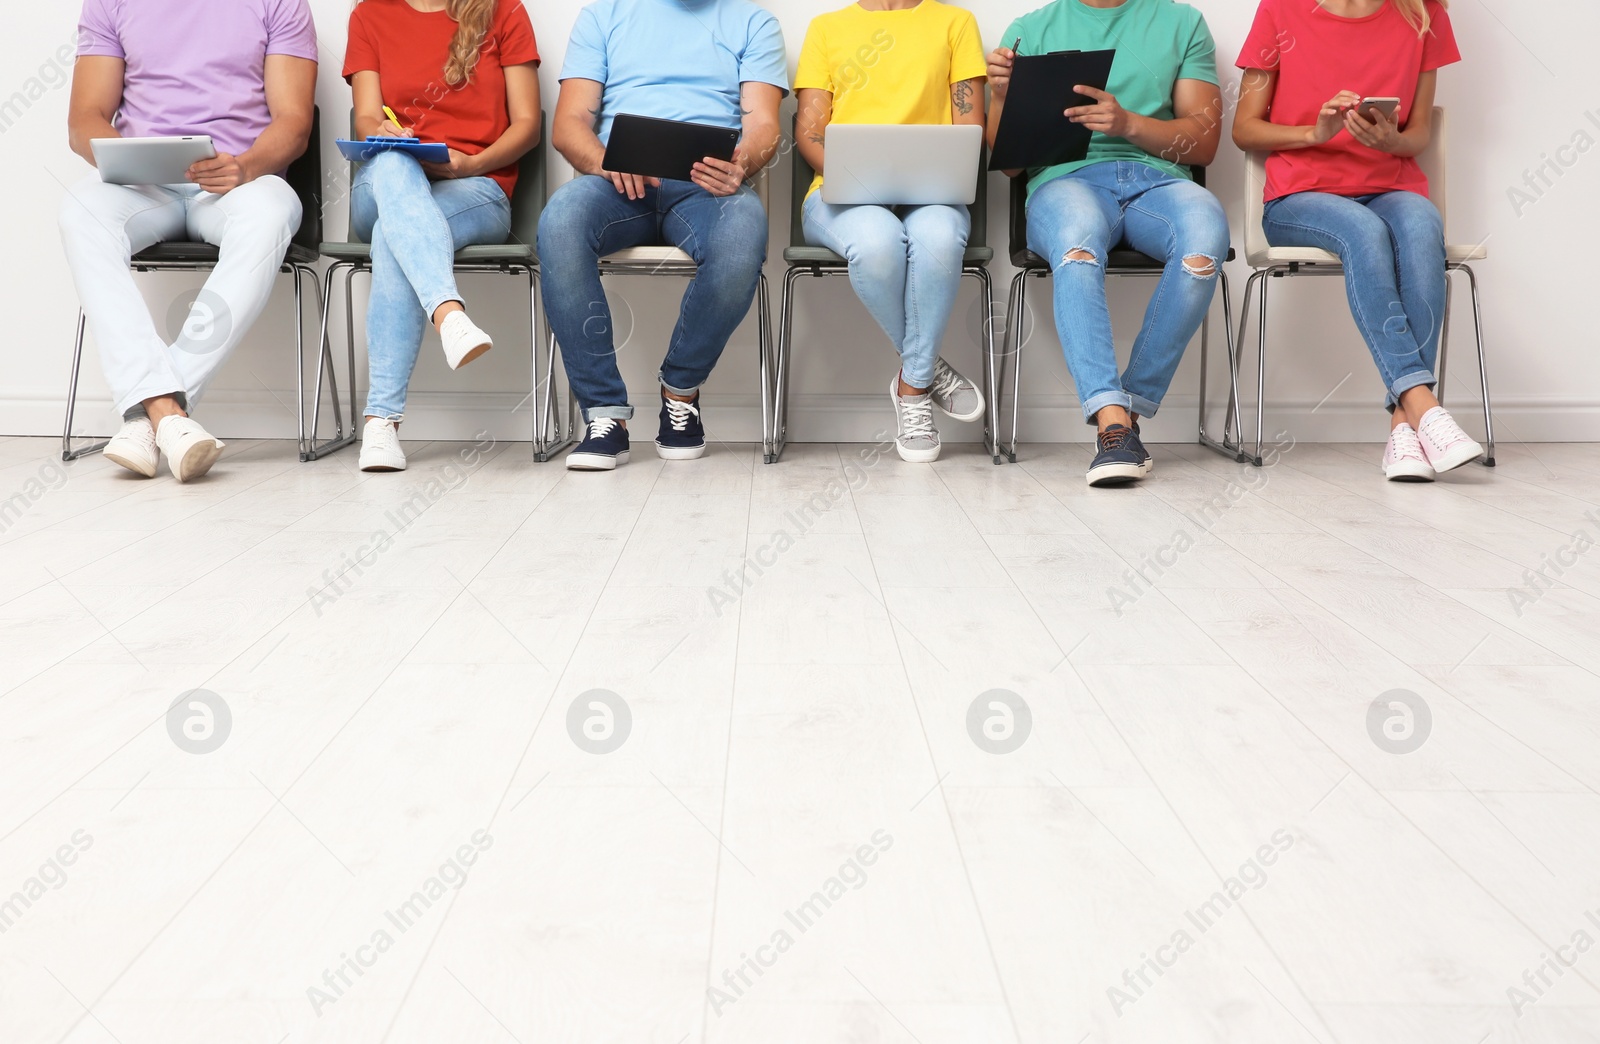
[[196, 68]]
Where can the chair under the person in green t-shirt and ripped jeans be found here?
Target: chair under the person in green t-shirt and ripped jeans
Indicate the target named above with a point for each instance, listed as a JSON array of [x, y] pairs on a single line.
[[1121, 262]]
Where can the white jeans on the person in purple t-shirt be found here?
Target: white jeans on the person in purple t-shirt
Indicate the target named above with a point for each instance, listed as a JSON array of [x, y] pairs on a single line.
[[105, 225]]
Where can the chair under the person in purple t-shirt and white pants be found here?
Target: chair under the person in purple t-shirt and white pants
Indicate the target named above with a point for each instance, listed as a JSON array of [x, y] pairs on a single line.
[[305, 177]]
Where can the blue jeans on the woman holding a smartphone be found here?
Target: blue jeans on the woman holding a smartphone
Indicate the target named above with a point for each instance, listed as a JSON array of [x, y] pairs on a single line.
[[1393, 251]]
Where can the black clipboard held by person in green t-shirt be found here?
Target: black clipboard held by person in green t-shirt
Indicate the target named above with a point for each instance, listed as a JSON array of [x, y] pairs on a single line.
[[1033, 132]]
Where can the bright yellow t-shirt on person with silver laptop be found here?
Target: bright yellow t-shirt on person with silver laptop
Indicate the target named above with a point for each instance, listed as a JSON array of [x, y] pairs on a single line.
[[892, 66]]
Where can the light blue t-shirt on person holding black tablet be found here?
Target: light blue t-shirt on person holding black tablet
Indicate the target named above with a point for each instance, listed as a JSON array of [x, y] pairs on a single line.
[[676, 60]]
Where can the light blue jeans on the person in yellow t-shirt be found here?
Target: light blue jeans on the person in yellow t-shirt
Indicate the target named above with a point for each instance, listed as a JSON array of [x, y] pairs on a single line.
[[905, 265]]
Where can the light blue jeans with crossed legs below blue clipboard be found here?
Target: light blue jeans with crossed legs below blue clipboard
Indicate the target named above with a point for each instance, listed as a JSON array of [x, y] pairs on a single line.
[[415, 228]]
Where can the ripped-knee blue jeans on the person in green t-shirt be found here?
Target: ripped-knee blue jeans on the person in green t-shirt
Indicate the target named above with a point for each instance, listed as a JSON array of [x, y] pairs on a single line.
[[1169, 219]]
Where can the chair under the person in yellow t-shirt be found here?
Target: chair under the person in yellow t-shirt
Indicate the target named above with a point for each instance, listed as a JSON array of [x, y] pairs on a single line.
[[806, 260]]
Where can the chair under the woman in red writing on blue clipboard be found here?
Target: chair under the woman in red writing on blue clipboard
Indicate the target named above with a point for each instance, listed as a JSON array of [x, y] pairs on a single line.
[[516, 257]]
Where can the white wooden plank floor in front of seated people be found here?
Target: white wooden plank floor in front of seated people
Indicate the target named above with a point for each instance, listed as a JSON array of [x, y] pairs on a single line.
[[1202, 832]]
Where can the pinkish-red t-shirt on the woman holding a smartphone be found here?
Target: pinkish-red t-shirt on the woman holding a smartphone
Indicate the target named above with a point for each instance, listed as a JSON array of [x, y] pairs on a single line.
[[1318, 55]]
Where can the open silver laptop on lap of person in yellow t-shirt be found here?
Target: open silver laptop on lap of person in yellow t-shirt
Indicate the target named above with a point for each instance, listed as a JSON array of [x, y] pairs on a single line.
[[902, 164]]
